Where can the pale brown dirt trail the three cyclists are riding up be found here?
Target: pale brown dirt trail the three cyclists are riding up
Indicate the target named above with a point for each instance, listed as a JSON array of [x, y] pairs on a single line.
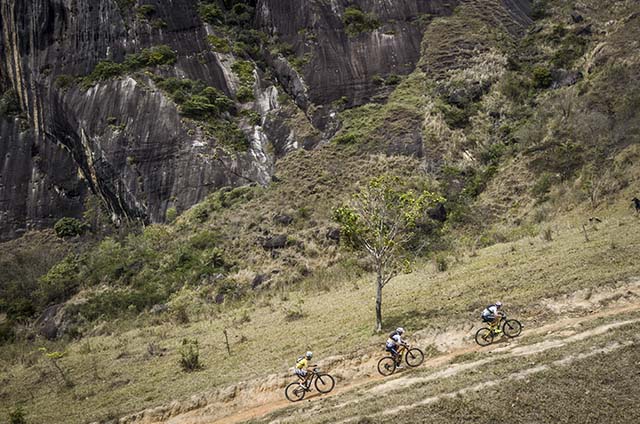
[[260, 402]]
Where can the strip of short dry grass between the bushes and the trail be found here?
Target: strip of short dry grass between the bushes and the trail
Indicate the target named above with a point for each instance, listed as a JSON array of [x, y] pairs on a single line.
[[114, 373]]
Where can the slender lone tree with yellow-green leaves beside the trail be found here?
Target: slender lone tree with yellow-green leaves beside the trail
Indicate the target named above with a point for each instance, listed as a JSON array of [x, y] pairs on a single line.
[[381, 220]]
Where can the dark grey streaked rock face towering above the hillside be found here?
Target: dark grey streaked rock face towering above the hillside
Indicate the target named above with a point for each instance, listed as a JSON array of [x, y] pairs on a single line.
[[123, 138]]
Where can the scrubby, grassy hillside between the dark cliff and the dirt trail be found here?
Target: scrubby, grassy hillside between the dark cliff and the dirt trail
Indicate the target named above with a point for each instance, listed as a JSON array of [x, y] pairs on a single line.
[[527, 136]]
